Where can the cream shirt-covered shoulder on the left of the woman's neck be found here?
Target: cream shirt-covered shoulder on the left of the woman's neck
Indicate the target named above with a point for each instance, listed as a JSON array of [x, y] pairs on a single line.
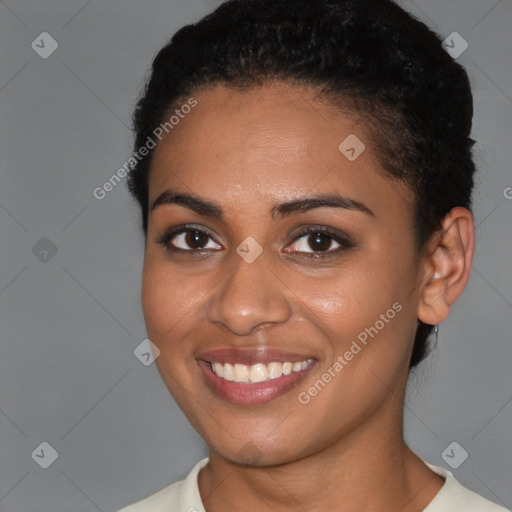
[[178, 497]]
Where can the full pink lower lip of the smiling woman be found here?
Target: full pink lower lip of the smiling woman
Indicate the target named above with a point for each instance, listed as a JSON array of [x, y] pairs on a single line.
[[251, 394]]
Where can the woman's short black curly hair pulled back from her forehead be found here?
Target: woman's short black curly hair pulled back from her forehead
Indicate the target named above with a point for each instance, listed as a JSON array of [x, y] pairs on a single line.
[[368, 56]]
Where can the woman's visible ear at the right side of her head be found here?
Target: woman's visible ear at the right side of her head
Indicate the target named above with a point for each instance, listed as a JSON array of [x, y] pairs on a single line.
[[447, 265]]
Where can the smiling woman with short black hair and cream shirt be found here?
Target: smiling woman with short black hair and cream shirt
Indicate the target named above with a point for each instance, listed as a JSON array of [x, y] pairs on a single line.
[[305, 190]]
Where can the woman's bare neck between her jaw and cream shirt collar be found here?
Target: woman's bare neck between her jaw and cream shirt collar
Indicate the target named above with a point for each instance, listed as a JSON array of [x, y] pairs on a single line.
[[368, 469]]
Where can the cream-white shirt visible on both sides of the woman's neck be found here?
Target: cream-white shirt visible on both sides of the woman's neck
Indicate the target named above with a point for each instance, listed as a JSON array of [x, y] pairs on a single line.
[[184, 496]]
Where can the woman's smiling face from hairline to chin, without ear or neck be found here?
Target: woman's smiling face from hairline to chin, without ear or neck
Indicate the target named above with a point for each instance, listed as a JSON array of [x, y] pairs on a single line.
[[280, 278]]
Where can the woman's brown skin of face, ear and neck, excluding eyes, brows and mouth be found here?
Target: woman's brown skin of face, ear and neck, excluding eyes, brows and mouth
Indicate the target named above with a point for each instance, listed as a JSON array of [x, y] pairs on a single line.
[[245, 152]]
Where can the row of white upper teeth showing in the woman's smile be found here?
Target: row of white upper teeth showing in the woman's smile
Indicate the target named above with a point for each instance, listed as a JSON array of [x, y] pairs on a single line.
[[258, 372]]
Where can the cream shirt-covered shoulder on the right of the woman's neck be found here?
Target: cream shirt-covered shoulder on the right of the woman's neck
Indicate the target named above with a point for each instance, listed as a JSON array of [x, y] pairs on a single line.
[[454, 497]]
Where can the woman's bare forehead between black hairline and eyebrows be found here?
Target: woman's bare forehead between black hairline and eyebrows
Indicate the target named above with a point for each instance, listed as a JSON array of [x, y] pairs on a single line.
[[270, 143]]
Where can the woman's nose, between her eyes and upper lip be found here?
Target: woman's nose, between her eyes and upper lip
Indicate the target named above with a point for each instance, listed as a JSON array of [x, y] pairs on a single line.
[[250, 297]]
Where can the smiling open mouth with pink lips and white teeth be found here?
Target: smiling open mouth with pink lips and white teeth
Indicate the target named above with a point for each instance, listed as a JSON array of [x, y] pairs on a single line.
[[246, 377]]
